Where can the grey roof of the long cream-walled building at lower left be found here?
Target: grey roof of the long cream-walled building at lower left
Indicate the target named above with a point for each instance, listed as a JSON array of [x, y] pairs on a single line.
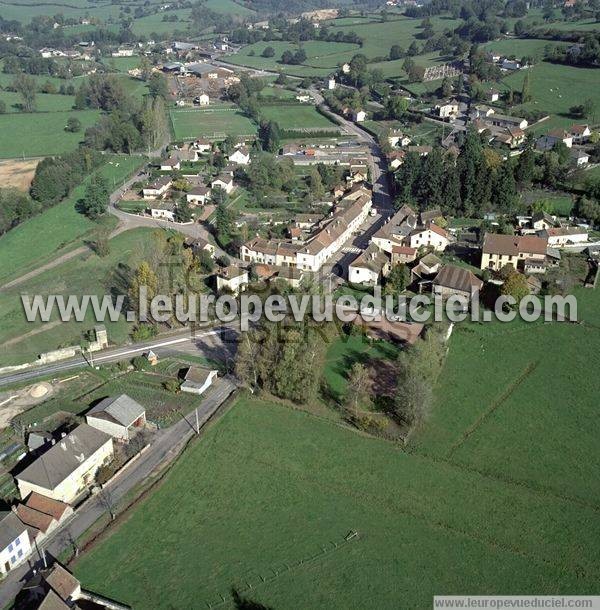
[[54, 466]]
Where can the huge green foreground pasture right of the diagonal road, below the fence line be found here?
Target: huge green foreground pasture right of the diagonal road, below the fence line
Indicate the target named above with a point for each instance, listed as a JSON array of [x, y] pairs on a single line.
[[268, 501]]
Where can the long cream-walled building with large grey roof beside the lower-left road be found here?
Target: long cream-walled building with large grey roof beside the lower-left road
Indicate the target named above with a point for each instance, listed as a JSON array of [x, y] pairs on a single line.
[[67, 470]]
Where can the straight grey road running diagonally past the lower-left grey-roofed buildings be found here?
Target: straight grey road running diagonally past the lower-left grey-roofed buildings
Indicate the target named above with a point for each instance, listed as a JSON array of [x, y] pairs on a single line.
[[165, 446]]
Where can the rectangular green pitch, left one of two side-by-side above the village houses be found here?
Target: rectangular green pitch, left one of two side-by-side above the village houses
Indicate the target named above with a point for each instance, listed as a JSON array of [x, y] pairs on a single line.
[[215, 121]]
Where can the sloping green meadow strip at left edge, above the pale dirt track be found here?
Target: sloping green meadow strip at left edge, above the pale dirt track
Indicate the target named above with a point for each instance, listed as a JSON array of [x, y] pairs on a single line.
[[63, 228]]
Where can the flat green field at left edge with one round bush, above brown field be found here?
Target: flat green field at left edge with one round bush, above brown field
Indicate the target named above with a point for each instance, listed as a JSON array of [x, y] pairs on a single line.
[[41, 134]]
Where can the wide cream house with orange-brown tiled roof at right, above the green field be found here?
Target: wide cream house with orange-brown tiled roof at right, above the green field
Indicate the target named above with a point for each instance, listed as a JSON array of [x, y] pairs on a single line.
[[500, 250]]
